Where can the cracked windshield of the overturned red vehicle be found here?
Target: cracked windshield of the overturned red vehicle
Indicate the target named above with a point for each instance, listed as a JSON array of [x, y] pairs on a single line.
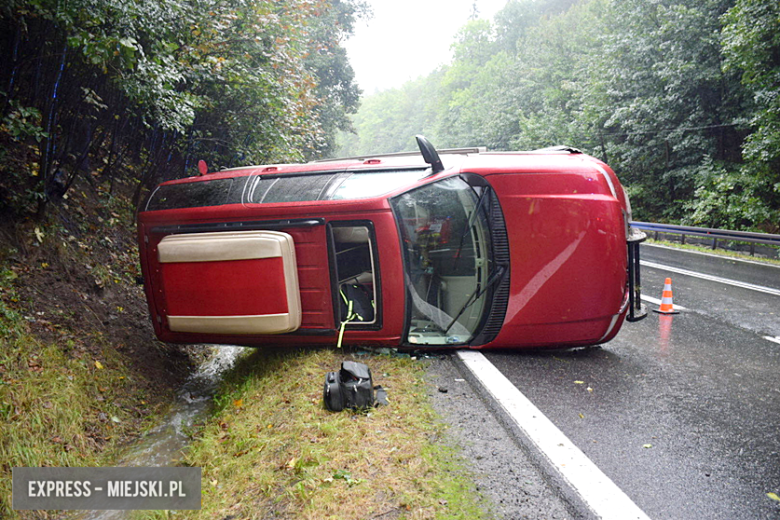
[[448, 260]]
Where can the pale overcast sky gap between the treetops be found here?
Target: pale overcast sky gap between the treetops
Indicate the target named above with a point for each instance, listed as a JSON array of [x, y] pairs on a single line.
[[407, 39]]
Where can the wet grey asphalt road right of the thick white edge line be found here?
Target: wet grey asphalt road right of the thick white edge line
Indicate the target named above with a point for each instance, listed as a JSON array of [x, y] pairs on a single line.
[[681, 412]]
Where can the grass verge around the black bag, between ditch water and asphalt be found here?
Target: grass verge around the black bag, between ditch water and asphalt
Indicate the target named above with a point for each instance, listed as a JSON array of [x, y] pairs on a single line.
[[271, 450]]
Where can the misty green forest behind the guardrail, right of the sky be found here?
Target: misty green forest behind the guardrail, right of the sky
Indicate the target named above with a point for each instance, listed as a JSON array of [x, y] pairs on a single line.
[[680, 97]]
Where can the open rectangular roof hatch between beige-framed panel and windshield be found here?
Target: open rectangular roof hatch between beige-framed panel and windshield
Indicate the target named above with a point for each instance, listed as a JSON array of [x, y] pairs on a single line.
[[356, 273]]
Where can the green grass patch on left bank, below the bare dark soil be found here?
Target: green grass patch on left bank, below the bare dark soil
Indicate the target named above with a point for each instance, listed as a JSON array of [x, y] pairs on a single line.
[[59, 405]]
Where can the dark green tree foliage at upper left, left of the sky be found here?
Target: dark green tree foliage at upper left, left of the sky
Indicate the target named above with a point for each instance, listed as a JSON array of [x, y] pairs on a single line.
[[163, 83]]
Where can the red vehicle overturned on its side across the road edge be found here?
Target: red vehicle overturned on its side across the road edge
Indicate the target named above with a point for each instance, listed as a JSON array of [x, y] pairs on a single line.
[[433, 249]]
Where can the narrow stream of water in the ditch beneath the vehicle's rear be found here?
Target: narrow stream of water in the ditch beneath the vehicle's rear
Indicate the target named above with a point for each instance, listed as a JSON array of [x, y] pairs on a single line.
[[163, 445]]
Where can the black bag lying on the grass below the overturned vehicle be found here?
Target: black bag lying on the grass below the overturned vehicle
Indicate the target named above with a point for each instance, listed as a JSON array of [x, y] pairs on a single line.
[[350, 387]]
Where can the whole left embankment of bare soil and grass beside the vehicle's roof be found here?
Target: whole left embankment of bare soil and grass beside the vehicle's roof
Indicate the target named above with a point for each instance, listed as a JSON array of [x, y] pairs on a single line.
[[80, 371]]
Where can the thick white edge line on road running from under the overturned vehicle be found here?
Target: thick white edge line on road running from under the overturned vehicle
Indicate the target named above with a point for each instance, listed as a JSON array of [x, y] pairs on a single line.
[[602, 496]]
